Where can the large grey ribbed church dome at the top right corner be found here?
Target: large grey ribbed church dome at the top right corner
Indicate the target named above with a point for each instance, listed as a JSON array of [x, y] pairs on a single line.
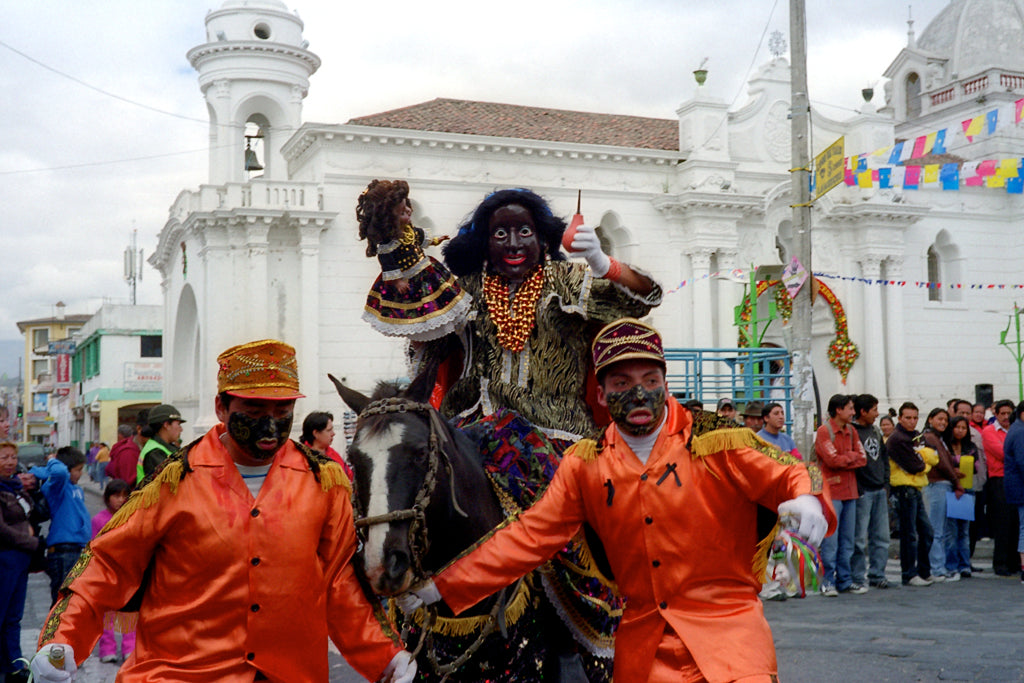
[[976, 35]]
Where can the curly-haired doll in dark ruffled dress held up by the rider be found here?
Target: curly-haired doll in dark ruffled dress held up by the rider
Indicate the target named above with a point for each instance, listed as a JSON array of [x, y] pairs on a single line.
[[415, 296]]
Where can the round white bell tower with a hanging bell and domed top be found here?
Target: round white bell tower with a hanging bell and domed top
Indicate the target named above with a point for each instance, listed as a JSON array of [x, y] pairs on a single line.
[[254, 71]]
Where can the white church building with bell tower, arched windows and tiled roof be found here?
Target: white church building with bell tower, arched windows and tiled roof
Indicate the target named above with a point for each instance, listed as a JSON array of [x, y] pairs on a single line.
[[691, 199]]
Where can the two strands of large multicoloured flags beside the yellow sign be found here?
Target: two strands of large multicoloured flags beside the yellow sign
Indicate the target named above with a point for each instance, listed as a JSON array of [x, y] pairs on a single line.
[[885, 168]]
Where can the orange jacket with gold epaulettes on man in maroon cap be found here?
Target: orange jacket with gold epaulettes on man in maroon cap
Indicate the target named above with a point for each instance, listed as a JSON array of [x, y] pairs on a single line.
[[680, 535]]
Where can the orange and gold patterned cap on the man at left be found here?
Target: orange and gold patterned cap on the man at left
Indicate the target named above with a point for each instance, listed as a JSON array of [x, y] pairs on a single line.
[[265, 369]]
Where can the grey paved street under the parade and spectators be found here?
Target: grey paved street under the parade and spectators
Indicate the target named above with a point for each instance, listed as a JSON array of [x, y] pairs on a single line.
[[967, 631]]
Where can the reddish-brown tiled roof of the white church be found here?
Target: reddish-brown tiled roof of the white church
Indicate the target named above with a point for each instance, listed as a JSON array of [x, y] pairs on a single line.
[[530, 123]]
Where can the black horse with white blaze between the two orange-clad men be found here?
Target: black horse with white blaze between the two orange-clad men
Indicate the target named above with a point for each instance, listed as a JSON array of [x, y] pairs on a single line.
[[422, 497]]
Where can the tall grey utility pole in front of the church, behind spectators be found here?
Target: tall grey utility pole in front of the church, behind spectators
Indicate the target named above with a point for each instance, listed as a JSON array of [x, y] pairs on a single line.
[[803, 379]]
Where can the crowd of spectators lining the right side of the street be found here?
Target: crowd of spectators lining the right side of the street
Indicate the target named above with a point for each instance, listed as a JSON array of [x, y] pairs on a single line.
[[937, 483]]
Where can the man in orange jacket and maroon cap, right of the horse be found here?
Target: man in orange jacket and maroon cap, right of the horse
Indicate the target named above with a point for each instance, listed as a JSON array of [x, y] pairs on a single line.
[[677, 517]]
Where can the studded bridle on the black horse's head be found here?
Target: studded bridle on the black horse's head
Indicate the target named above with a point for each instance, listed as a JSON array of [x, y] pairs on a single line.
[[439, 447]]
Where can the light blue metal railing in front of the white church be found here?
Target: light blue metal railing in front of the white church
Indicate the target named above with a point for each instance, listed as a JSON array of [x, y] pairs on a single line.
[[741, 374]]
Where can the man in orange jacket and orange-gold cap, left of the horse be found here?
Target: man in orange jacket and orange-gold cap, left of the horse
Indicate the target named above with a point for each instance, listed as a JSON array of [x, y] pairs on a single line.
[[240, 548]]
